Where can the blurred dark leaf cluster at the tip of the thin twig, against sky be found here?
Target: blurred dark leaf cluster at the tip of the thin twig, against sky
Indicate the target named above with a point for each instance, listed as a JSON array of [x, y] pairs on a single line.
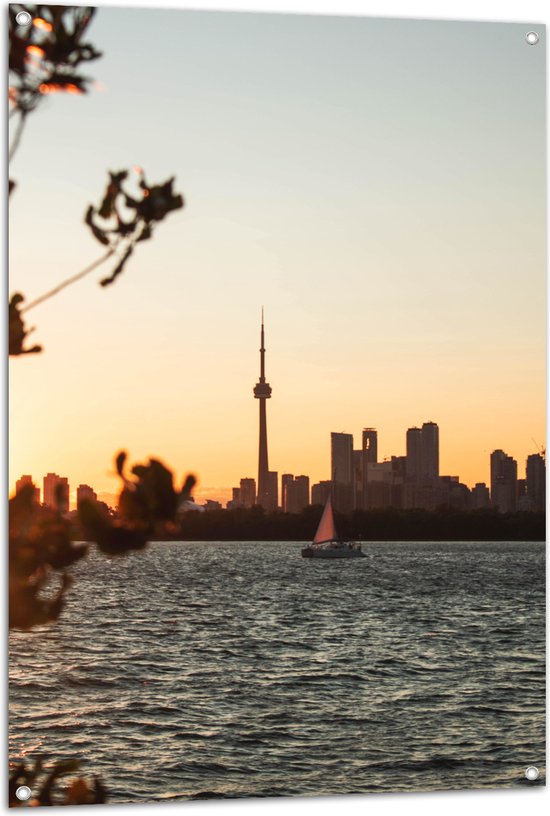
[[120, 232]]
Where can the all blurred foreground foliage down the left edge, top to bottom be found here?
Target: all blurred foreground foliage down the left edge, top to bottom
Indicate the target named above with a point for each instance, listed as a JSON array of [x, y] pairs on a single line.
[[45, 57]]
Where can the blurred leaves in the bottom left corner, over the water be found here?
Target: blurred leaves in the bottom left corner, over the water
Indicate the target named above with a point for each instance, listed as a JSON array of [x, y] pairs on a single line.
[[46, 789]]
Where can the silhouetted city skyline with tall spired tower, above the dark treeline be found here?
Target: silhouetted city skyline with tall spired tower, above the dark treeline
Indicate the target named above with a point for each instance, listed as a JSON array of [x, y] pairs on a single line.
[[358, 480]]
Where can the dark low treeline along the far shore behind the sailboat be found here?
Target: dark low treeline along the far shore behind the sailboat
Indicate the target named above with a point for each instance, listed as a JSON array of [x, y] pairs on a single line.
[[444, 524]]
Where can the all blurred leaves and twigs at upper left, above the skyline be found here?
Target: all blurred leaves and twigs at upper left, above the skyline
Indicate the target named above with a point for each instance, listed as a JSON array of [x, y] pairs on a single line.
[[45, 57]]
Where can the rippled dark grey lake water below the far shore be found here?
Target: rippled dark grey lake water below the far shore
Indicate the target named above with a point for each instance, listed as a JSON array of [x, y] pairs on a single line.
[[197, 670]]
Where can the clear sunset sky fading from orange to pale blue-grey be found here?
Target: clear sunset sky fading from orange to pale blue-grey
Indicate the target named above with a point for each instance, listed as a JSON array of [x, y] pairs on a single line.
[[377, 185]]
